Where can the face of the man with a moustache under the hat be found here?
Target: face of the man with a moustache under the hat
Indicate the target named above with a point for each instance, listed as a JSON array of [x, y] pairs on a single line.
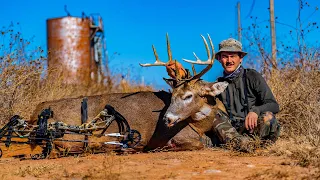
[[230, 61]]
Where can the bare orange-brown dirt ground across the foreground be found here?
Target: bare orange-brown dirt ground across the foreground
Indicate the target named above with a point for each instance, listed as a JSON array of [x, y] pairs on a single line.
[[202, 164]]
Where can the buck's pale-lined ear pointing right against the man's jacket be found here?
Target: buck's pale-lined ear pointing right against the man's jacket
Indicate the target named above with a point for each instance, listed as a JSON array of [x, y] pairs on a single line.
[[213, 89]]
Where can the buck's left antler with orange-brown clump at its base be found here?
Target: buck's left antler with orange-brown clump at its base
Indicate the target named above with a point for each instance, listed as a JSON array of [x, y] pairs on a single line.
[[178, 72]]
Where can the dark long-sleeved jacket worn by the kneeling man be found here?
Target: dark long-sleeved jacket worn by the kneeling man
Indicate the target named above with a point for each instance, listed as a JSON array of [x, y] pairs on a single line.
[[259, 96]]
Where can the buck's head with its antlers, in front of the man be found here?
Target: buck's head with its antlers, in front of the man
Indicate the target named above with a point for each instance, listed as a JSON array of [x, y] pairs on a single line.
[[190, 94]]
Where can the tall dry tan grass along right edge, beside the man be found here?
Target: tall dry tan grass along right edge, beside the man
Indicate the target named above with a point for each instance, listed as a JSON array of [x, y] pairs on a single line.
[[297, 89]]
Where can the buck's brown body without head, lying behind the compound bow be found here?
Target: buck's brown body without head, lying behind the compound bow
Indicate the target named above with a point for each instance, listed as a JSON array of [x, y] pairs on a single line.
[[144, 112]]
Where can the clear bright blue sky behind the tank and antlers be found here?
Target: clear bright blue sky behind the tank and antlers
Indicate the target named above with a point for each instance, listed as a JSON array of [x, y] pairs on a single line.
[[132, 26]]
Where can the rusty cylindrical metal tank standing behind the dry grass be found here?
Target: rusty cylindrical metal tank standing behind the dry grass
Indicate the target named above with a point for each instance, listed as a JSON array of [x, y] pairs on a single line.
[[68, 43]]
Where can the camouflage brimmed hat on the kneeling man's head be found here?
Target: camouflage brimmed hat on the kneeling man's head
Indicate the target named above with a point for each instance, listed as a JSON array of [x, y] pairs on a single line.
[[230, 45]]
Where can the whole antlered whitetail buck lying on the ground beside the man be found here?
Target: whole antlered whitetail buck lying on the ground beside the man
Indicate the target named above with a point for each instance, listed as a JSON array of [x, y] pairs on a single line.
[[152, 113]]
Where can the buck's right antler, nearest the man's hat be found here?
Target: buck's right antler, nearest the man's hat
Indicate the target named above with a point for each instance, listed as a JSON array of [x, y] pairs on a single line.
[[208, 62]]
